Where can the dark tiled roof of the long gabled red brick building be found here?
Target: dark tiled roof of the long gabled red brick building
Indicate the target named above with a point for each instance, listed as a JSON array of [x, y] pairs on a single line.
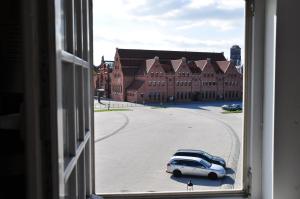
[[143, 60]]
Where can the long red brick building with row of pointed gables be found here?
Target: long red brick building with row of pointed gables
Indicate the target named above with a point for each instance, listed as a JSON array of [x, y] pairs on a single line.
[[161, 76]]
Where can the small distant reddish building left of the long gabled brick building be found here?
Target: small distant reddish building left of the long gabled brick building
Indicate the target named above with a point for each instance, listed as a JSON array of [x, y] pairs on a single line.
[[103, 79]]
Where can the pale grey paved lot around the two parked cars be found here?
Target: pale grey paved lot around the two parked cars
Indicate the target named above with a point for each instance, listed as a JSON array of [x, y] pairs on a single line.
[[133, 147]]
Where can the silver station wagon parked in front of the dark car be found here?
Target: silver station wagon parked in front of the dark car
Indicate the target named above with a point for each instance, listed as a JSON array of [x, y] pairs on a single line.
[[185, 165]]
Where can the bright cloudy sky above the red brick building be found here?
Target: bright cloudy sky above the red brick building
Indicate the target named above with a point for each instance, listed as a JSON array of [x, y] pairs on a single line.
[[183, 25]]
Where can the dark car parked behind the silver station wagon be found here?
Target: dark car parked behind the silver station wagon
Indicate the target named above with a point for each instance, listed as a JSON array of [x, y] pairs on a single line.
[[201, 154]]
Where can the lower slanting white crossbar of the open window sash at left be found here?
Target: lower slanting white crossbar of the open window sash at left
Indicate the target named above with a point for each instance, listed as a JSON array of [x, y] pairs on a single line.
[[74, 159]]
